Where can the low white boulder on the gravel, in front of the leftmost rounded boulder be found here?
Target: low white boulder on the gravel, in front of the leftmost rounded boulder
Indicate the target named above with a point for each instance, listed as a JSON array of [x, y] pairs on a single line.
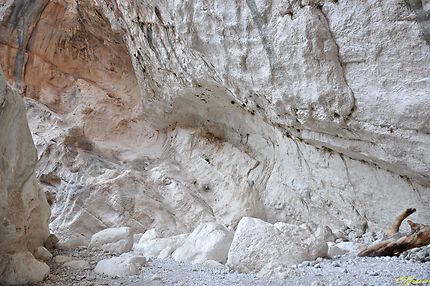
[[121, 266]]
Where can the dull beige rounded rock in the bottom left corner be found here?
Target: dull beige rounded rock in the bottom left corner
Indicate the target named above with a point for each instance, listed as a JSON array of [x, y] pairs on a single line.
[[22, 268]]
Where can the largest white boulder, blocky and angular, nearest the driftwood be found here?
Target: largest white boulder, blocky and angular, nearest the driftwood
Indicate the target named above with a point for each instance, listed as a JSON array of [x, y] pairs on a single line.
[[258, 244]]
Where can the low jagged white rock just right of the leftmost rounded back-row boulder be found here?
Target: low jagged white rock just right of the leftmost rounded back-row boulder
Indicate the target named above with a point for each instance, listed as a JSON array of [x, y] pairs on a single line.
[[158, 247]]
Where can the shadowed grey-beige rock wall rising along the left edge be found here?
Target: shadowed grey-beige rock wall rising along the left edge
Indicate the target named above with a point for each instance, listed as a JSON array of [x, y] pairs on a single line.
[[24, 211]]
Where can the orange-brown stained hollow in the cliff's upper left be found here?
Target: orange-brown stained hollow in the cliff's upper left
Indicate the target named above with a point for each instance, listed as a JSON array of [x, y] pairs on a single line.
[[47, 46]]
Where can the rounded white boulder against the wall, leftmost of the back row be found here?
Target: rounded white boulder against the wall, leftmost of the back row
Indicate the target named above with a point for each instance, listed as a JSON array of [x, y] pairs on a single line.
[[115, 240]]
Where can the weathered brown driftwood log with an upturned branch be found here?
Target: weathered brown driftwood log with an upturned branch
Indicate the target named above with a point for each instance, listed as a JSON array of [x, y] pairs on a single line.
[[396, 242]]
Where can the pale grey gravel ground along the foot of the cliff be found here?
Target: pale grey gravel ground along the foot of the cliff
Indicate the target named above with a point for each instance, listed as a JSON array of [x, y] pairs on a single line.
[[344, 270]]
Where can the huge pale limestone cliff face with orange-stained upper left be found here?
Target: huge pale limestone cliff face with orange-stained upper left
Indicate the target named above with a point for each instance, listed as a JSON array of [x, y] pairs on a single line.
[[167, 114]]
